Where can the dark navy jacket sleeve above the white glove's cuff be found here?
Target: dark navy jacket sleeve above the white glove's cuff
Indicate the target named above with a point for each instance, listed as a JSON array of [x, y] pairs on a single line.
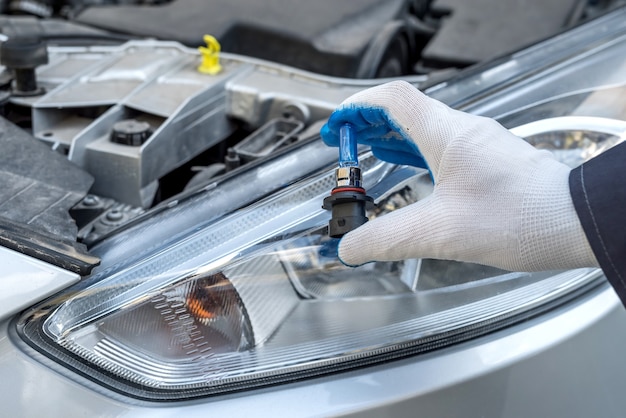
[[598, 189]]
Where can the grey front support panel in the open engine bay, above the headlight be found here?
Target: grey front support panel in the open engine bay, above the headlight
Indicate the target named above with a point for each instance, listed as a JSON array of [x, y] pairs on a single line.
[[147, 125]]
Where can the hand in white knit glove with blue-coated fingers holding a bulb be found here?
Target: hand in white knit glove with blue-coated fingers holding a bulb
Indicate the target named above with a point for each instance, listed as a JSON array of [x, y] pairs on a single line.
[[496, 201]]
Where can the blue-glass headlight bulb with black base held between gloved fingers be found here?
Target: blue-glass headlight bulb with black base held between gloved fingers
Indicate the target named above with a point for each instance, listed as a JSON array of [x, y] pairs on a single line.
[[348, 200]]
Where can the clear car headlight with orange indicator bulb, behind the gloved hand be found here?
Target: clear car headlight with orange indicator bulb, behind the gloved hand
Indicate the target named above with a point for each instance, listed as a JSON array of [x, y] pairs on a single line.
[[257, 296]]
